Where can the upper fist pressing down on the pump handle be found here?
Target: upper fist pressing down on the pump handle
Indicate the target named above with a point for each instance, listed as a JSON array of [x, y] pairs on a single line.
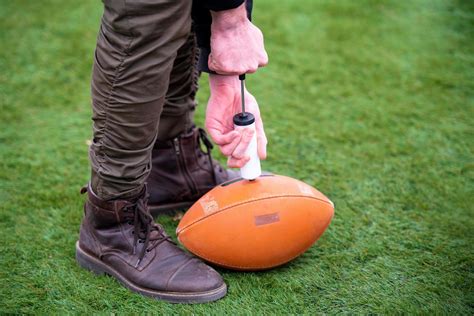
[[236, 44]]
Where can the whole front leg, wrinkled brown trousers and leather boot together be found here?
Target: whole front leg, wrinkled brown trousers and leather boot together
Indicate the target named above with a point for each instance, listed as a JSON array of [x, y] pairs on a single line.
[[136, 48]]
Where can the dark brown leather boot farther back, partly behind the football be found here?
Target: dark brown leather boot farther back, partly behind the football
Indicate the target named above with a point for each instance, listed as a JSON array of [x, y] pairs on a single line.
[[182, 172]]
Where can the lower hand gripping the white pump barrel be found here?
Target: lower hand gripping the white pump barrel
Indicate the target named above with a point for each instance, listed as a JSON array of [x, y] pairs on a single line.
[[224, 103]]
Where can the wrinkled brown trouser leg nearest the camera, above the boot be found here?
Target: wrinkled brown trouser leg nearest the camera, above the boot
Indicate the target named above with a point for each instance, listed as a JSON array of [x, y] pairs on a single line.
[[136, 48]]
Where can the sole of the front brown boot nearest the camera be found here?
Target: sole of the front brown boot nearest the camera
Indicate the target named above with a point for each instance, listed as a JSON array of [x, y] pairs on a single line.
[[93, 264]]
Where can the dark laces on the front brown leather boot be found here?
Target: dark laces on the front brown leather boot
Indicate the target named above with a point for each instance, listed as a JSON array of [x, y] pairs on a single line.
[[145, 229]]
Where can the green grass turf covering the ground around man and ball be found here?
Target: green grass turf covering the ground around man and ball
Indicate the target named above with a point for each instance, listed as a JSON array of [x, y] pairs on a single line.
[[372, 102]]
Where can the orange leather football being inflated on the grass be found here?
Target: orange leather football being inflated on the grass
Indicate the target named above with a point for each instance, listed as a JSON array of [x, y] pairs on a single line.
[[255, 225]]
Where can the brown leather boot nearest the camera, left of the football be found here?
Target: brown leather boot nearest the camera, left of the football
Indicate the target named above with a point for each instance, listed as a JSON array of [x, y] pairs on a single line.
[[120, 238]]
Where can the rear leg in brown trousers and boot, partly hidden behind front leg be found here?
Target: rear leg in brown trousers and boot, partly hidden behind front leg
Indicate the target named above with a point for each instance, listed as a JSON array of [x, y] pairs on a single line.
[[182, 171]]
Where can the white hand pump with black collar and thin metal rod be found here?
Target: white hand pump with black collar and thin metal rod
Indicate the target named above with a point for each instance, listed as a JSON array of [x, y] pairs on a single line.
[[251, 170]]
